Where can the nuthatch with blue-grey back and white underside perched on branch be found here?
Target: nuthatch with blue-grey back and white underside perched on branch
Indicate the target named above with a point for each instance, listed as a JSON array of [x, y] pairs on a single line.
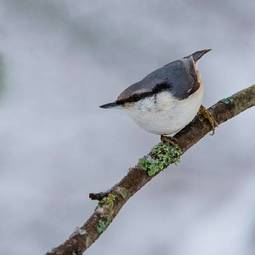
[[167, 99]]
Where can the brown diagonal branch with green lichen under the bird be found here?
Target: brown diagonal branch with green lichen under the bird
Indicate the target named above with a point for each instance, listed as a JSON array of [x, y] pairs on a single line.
[[149, 166]]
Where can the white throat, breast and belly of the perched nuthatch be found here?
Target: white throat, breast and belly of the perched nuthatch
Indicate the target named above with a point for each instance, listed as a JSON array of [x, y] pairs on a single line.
[[165, 115]]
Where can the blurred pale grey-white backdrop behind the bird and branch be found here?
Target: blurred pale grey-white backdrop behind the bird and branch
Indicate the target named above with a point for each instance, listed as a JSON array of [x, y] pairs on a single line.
[[60, 60]]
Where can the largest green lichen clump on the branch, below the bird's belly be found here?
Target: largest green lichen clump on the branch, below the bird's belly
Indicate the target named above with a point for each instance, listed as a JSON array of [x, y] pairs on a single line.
[[160, 157]]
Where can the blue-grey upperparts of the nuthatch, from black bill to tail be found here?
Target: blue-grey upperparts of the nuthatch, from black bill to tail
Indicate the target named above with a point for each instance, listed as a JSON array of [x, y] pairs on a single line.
[[178, 77]]
